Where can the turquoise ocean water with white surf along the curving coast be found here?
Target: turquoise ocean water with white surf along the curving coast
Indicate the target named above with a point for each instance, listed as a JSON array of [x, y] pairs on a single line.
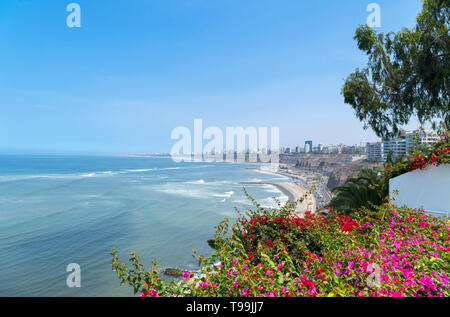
[[73, 209]]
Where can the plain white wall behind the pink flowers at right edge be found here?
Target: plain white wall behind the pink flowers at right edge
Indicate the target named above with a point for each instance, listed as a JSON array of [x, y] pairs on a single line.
[[428, 188]]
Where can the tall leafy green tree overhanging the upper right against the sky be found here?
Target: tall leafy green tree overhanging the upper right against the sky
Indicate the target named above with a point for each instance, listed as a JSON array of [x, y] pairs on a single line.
[[408, 73]]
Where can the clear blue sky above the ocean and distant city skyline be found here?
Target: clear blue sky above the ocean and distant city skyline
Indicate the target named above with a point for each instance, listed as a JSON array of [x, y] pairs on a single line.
[[135, 70]]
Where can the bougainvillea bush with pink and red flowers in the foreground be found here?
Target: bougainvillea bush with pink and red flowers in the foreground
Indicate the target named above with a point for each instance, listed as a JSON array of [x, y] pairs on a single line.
[[390, 252]]
